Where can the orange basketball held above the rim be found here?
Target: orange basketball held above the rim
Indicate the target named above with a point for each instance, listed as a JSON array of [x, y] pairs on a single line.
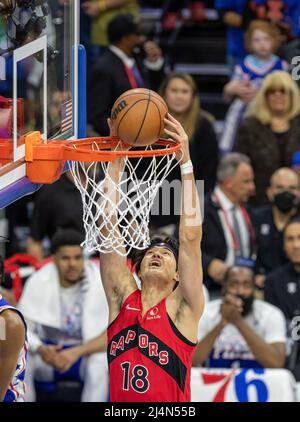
[[138, 116]]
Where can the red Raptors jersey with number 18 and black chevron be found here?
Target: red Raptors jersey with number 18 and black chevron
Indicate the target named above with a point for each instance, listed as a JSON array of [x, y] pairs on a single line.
[[149, 360]]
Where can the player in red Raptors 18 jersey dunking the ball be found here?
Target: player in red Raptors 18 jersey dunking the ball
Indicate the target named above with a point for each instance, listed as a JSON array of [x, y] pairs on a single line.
[[153, 331]]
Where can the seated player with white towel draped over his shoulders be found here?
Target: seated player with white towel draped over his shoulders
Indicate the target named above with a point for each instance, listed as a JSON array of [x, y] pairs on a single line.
[[65, 307]]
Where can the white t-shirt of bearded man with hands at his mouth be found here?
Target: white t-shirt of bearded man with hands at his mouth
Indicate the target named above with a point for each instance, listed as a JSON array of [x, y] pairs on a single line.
[[230, 348]]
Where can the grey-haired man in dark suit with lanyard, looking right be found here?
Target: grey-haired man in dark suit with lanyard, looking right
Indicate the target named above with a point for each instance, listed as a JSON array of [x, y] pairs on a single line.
[[228, 234]]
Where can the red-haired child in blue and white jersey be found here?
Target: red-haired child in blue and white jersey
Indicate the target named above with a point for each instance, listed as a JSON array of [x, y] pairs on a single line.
[[262, 40]]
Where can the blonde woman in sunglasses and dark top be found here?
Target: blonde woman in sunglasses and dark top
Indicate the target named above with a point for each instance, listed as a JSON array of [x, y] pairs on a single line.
[[270, 135]]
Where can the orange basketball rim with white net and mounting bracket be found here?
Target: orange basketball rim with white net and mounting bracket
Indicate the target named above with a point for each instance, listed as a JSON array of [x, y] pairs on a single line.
[[144, 172]]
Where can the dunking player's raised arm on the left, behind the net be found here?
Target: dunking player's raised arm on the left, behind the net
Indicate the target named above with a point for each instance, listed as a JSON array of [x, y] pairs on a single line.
[[117, 279]]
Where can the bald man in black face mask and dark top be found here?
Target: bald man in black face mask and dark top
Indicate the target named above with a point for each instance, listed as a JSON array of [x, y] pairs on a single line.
[[270, 220]]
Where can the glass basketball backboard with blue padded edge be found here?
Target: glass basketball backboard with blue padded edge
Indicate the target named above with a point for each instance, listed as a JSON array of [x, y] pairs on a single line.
[[41, 78]]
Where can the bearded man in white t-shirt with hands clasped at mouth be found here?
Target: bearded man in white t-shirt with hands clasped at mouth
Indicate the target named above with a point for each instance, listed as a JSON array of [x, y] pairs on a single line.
[[239, 330]]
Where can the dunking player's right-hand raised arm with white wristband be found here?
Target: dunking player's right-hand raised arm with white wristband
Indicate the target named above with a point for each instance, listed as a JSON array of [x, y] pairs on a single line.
[[190, 230]]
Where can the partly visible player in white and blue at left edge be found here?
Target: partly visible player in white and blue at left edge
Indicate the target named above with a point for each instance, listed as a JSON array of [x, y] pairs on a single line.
[[13, 349]]
